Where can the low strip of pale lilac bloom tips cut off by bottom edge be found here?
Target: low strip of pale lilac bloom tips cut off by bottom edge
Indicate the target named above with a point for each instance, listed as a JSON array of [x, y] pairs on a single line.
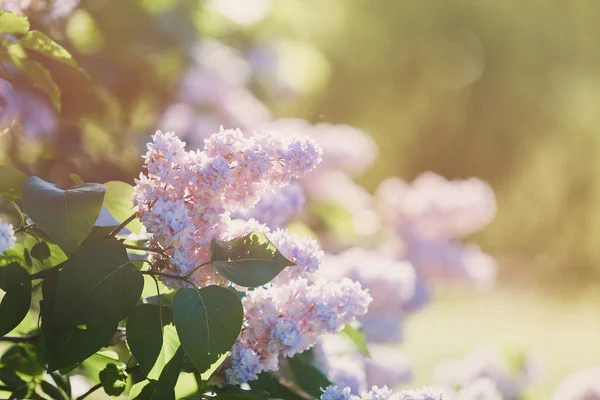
[[376, 393]]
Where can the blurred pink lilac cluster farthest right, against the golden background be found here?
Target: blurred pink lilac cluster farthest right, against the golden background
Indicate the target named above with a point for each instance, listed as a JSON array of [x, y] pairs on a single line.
[[431, 215]]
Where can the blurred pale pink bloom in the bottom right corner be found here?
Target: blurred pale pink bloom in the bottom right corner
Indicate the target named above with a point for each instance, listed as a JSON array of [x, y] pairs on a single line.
[[582, 385]]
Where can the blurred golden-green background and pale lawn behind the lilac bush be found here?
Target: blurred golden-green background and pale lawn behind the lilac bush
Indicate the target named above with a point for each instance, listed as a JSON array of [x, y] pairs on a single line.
[[503, 91]]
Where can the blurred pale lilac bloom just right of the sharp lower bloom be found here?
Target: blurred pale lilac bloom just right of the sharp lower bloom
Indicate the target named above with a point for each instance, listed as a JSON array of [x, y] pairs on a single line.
[[391, 284]]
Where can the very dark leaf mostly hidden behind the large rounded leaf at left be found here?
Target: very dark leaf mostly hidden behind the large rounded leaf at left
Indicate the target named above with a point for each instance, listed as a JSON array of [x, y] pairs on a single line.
[[67, 346]]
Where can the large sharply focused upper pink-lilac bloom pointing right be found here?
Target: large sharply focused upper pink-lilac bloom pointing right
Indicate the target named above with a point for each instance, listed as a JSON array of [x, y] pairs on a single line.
[[186, 197]]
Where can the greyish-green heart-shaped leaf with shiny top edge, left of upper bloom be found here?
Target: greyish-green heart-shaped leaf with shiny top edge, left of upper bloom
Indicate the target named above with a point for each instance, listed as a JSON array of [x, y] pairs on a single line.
[[67, 216]]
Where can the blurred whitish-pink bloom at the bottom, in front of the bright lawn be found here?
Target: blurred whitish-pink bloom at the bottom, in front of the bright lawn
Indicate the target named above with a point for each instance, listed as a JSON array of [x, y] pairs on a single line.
[[486, 362]]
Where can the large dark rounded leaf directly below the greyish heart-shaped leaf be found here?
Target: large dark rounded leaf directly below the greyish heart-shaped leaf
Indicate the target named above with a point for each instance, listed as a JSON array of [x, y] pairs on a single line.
[[98, 285]]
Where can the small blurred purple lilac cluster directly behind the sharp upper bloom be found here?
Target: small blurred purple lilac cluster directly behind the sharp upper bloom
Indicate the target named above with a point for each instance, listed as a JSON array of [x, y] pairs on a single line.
[[275, 209]]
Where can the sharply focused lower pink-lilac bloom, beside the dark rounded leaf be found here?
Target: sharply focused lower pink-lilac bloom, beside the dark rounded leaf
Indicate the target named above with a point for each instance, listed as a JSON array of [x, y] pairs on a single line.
[[286, 320]]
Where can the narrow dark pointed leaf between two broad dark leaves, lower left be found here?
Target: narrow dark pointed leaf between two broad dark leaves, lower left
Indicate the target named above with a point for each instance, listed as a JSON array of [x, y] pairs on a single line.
[[145, 335]]
